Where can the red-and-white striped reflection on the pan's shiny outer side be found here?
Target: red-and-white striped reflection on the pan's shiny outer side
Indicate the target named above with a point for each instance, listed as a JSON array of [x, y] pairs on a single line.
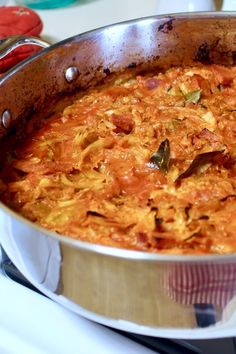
[[202, 283]]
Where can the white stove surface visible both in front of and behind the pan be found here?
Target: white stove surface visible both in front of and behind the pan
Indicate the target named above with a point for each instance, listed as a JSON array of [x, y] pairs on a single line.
[[30, 322]]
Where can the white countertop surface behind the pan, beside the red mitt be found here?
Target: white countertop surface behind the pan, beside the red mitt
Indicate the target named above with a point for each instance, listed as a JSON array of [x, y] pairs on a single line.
[[84, 15]]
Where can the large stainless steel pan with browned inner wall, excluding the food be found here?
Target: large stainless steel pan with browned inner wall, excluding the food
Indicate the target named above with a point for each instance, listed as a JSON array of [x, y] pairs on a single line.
[[161, 295]]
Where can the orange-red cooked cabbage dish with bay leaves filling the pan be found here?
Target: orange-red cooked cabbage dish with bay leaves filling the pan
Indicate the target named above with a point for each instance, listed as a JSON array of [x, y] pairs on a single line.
[[144, 162]]
